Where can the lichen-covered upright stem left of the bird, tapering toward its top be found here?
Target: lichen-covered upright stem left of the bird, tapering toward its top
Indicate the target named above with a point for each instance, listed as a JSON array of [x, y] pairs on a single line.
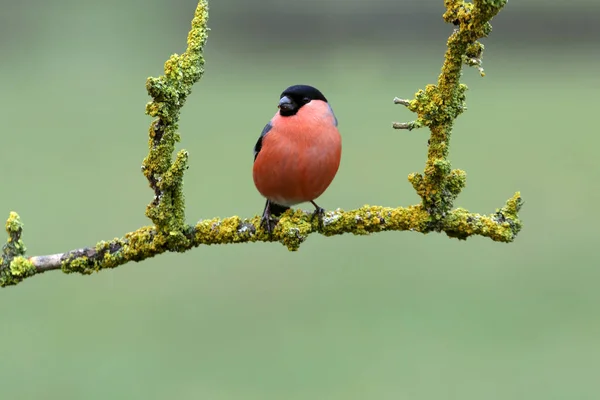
[[169, 93]]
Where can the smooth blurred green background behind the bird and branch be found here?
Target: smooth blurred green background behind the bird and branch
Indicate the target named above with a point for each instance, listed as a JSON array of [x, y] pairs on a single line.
[[390, 316]]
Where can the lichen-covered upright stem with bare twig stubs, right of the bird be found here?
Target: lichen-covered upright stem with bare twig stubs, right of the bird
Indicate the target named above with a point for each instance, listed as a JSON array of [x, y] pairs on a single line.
[[439, 105]]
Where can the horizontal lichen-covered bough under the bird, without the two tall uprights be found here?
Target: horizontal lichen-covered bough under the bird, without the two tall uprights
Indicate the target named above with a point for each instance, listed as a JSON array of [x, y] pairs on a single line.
[[293, 229]]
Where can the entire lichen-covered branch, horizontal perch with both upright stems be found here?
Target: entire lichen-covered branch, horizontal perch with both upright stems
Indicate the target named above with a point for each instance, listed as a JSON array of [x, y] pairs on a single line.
[[436, 107]]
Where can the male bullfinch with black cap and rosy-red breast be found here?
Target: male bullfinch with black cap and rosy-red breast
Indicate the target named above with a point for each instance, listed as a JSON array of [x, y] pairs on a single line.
[[298, 152]]
